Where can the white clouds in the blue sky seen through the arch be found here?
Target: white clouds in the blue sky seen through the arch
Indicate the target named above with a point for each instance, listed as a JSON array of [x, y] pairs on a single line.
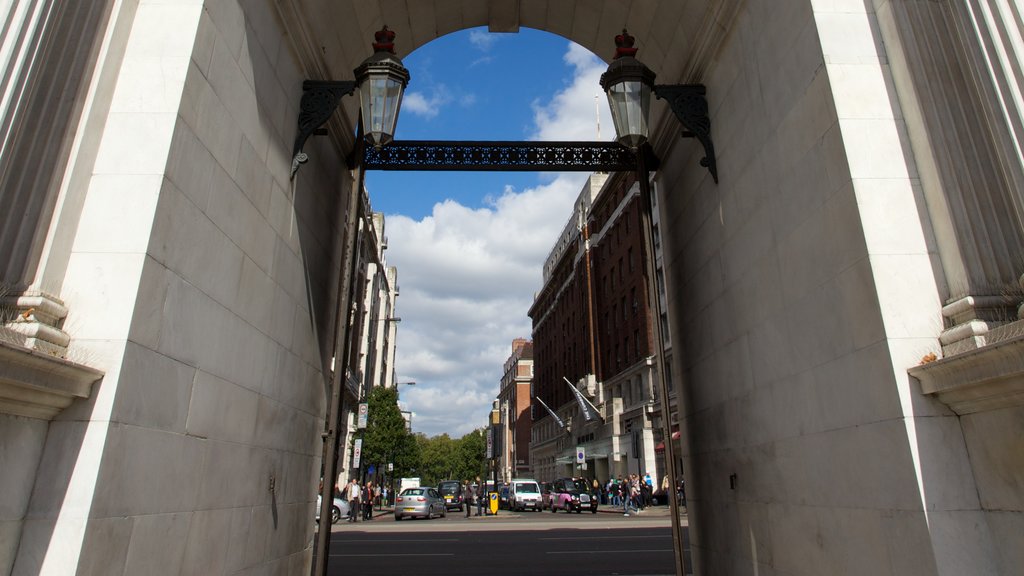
[[468, 276]]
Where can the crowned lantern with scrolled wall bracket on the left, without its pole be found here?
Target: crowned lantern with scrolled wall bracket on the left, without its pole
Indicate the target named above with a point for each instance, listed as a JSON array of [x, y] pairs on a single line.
[[381, 80]]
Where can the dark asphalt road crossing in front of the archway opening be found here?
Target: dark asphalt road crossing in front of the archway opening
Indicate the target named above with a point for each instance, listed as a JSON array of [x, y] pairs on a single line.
[[535, 544]]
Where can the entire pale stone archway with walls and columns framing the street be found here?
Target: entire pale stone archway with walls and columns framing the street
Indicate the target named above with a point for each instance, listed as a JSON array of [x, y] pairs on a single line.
[[844, 301]]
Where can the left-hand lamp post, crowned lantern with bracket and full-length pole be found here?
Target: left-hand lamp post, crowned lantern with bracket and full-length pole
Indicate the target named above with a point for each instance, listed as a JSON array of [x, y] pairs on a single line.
[[381, 80]]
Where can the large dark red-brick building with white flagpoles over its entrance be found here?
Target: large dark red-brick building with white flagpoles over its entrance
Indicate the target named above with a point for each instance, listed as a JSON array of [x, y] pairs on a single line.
[[592, 325]]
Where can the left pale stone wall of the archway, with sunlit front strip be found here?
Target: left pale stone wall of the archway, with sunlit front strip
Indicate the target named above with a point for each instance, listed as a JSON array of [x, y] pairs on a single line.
[[200, 283]]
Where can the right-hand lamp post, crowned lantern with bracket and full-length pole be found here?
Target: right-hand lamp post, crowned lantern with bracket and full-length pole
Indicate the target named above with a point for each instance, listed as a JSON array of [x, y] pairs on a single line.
[[629, 85]]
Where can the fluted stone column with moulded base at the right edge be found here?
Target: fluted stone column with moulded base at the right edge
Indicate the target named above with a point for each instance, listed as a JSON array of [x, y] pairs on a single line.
[[964, 63]]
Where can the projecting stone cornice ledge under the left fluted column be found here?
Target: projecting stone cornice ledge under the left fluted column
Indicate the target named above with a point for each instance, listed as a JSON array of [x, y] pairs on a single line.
[[39, 386]]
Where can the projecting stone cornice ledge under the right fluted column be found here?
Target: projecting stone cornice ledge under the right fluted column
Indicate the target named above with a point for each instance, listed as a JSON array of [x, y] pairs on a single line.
[[984, 380]]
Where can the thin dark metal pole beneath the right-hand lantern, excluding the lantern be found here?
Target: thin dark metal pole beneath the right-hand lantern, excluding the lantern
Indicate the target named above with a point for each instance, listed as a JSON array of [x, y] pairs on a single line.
[[655, 304]]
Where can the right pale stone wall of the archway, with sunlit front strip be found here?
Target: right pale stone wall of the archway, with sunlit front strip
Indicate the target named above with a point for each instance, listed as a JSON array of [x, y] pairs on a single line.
[[803, 290]]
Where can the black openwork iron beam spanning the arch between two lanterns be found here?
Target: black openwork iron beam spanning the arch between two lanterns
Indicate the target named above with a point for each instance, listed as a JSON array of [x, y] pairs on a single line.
[[501, 156]]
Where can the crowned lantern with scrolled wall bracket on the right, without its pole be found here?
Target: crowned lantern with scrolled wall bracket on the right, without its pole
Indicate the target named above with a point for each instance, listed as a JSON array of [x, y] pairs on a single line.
[[629, 86]]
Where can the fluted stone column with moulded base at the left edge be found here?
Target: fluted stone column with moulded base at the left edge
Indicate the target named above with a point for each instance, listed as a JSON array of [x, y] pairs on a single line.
[[47, 56]]
